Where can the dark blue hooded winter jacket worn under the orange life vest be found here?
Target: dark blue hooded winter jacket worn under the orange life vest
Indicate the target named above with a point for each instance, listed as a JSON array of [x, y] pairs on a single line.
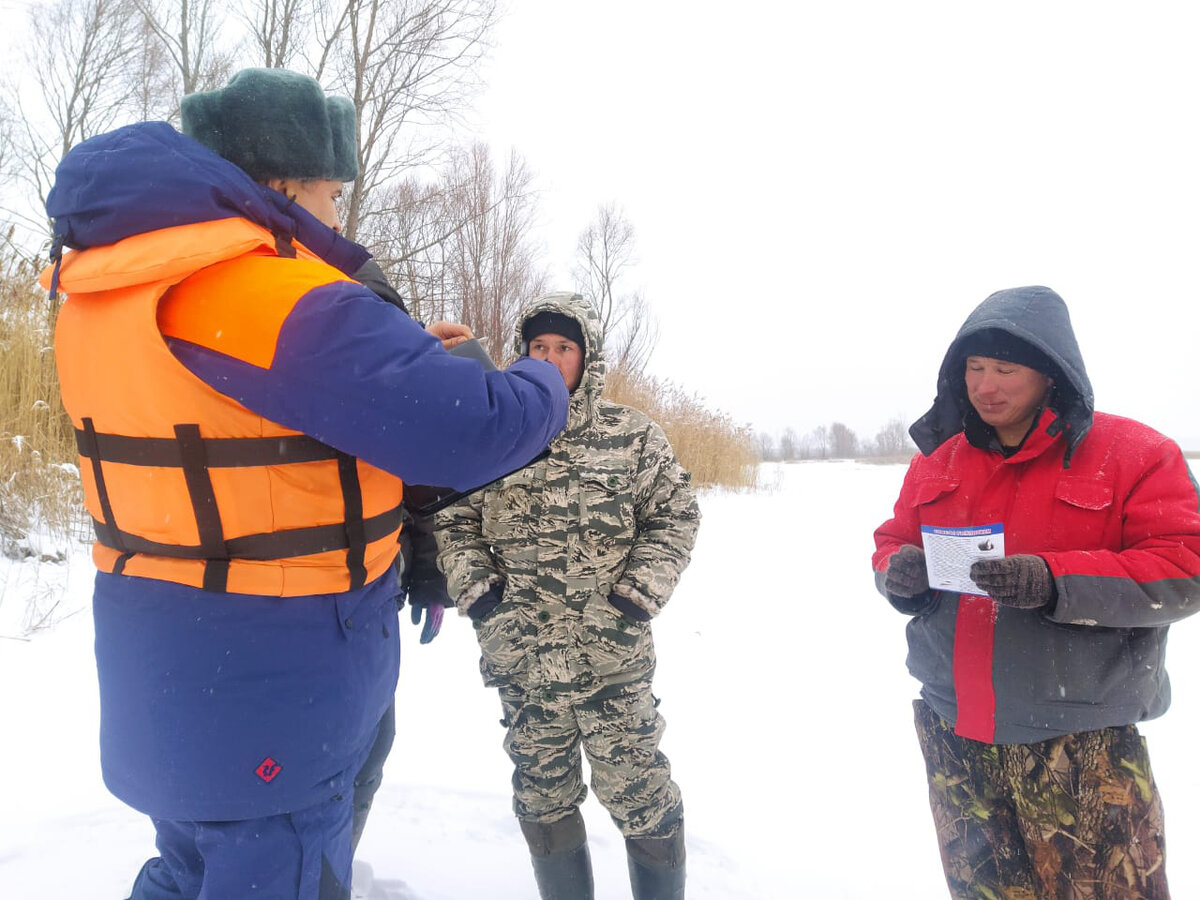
[[227, 706]]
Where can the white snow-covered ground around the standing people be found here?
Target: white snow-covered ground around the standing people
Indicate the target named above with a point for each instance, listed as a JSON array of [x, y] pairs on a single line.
[[783, 682]]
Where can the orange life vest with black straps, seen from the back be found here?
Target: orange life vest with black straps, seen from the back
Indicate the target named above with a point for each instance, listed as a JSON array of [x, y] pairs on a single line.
[[183, 483]]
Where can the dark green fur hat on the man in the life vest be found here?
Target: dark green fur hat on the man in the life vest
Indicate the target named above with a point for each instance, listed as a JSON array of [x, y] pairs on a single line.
[[277, 124]]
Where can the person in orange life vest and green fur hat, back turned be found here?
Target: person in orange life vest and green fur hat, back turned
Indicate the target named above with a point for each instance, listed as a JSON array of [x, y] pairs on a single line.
[[247, 415]]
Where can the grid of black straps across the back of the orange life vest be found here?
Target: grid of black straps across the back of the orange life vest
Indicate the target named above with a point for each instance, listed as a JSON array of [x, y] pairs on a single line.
[[196, 457]]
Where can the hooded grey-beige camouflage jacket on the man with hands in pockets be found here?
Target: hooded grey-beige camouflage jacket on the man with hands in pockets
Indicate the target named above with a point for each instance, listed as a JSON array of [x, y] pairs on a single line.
[[609, 512]]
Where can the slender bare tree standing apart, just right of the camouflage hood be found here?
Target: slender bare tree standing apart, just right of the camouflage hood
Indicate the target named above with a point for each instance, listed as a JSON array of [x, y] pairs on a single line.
[[605, 253]]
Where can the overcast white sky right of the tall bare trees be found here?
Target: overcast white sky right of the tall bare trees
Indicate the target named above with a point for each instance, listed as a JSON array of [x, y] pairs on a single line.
[[823, 191]]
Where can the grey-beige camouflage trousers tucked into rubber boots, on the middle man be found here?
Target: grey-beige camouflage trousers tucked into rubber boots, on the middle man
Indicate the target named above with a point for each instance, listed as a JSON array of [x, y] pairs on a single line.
[[619, 728]]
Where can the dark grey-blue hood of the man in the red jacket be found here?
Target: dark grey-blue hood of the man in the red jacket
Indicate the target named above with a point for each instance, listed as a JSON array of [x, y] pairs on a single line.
[[1037, 316]]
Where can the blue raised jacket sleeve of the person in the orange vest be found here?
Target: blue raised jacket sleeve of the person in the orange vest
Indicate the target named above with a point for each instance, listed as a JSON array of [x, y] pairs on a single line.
[[359, 375]]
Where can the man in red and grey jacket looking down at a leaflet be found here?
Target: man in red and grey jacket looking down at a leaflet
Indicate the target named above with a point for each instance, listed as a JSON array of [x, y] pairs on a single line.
[[1034, 681]]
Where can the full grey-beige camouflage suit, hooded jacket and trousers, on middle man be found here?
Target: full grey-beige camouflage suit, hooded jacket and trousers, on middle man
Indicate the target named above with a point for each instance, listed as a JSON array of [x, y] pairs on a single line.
[[609, 512]]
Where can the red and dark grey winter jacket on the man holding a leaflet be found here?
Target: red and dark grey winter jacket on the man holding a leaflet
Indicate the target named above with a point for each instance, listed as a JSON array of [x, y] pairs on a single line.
[[1120, 530]]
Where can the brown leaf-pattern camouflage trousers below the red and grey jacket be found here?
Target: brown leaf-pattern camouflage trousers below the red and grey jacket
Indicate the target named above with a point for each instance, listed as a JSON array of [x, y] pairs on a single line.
[[1077, 818]]
